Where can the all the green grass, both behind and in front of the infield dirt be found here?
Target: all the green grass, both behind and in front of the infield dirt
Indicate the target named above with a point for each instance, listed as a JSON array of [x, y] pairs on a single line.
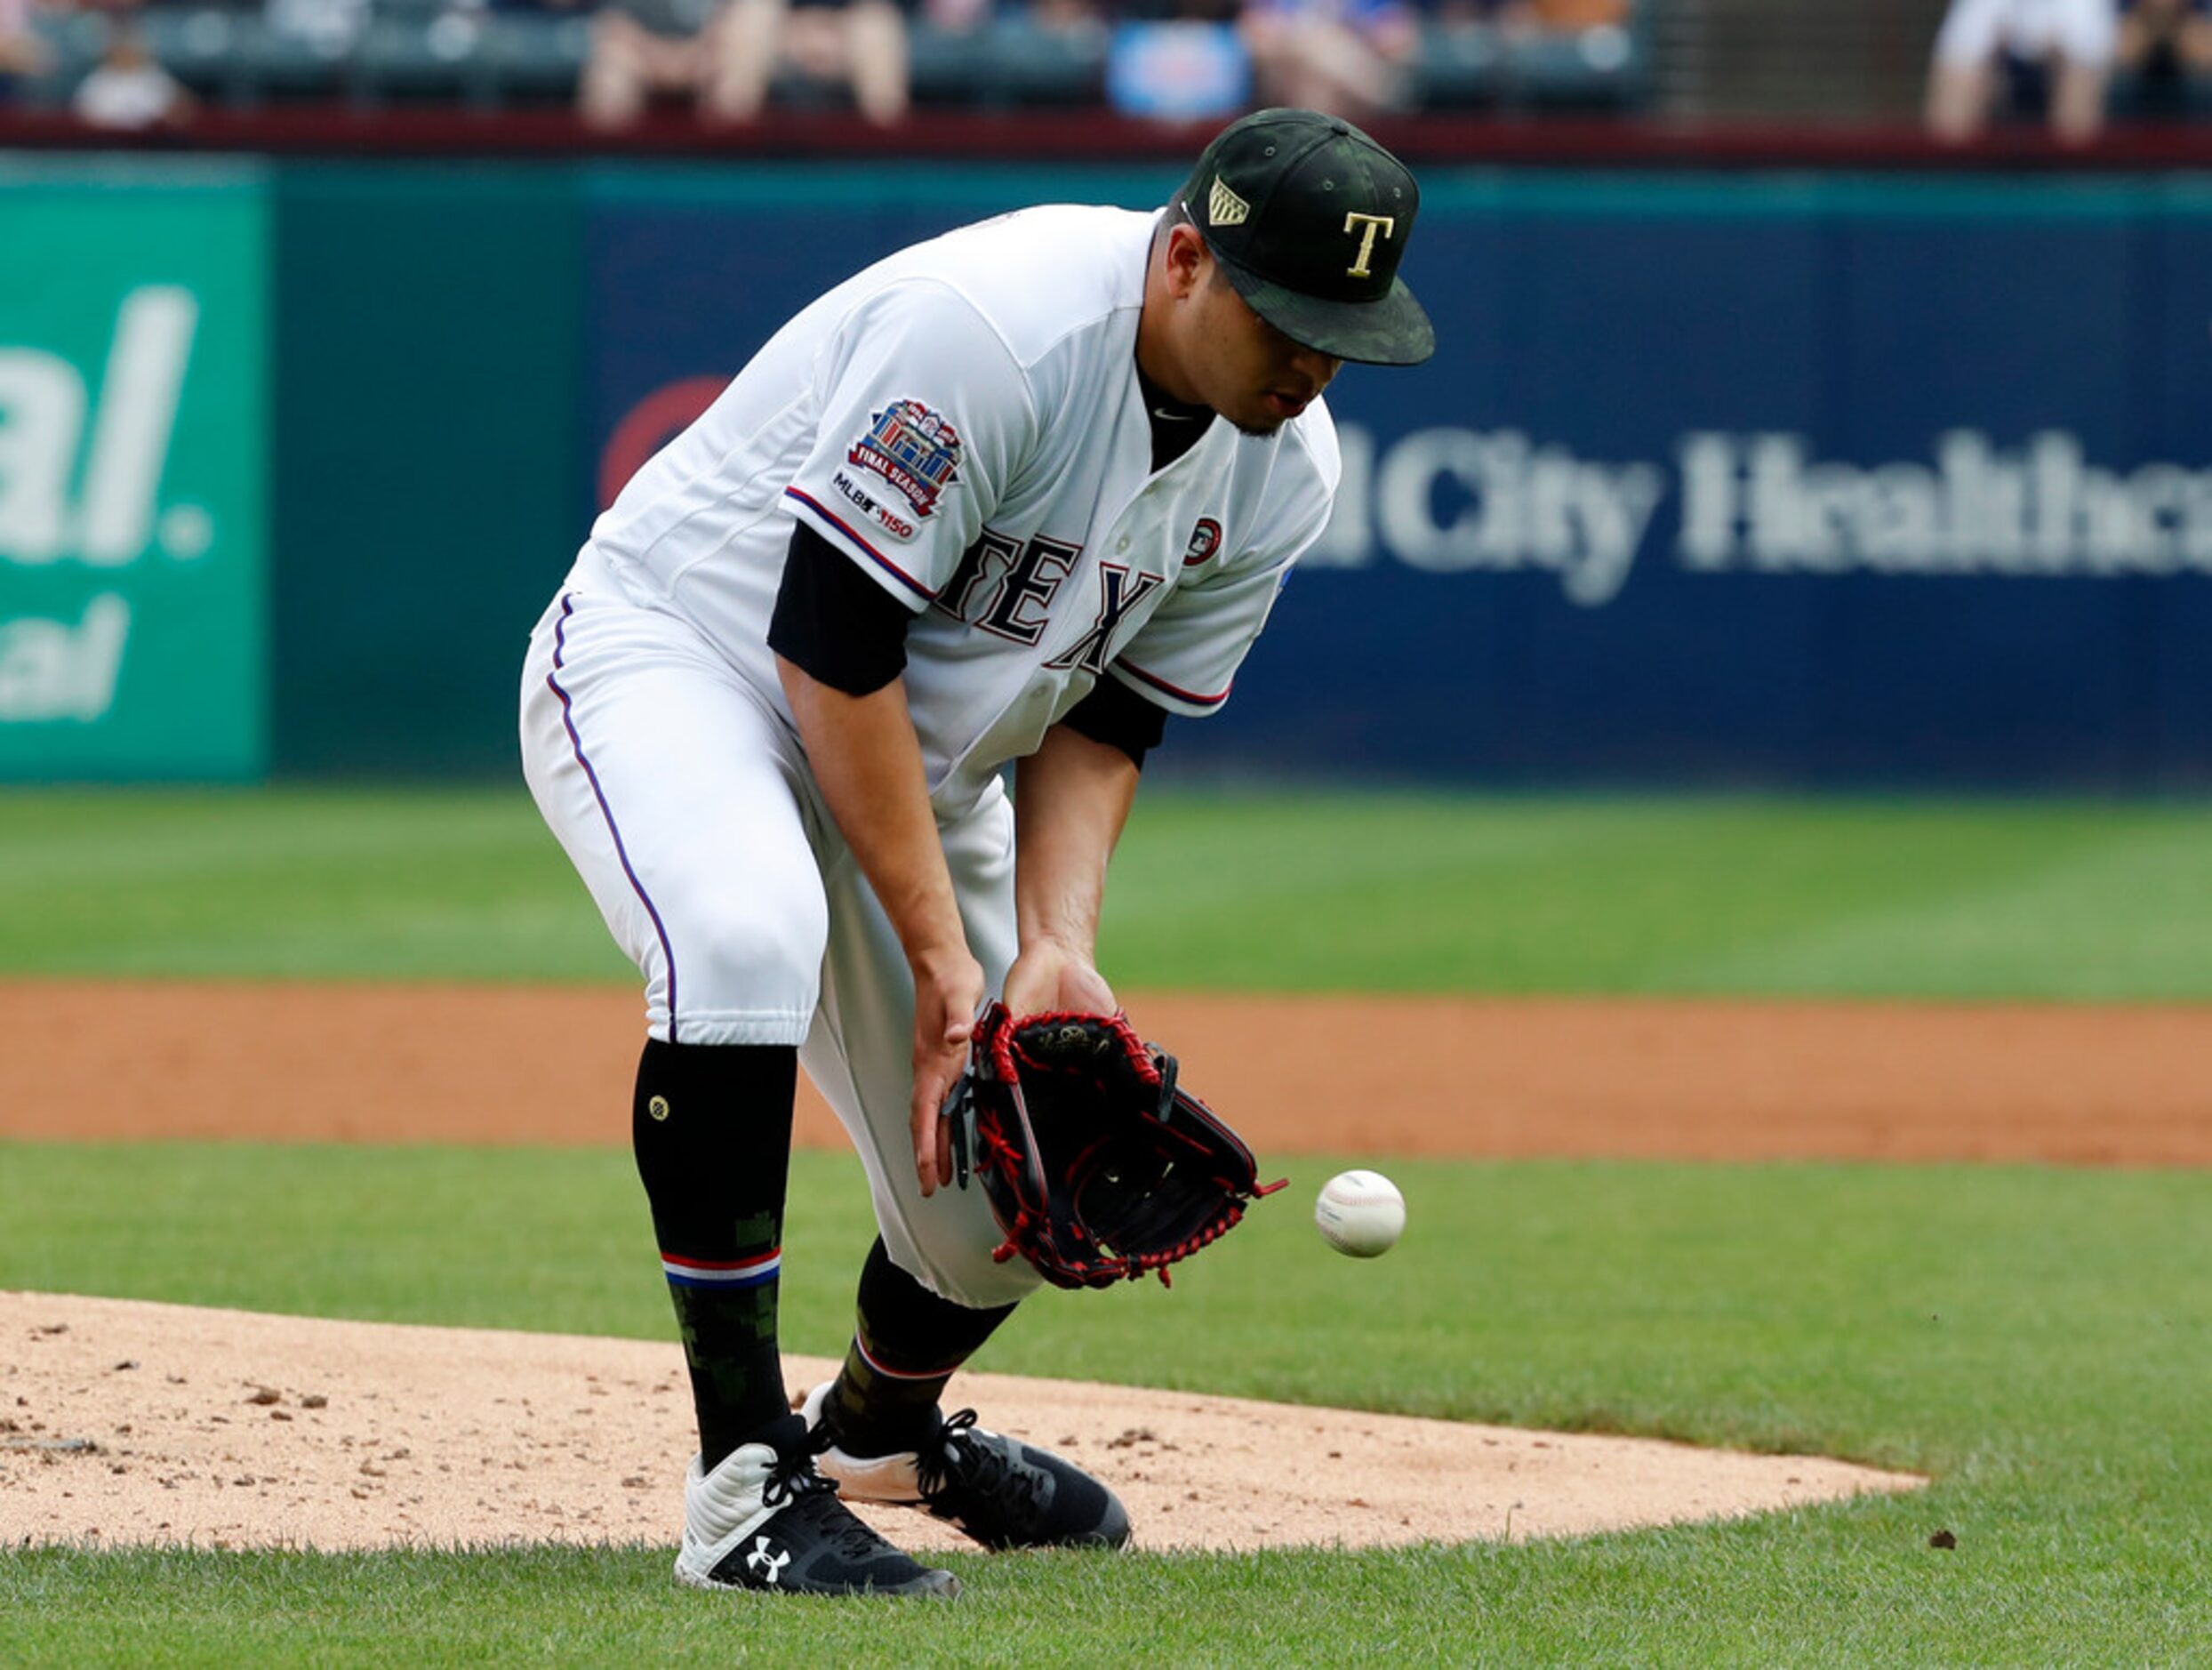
[[2036, 1339]]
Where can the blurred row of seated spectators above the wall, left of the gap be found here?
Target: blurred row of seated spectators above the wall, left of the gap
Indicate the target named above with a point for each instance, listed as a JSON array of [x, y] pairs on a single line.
[[143, 63]]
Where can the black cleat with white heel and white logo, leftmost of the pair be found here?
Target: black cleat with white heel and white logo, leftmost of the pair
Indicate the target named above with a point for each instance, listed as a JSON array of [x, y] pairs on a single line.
[[771, 1523]]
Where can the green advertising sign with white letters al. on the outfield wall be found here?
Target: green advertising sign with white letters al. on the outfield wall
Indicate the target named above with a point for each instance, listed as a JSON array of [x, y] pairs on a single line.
[[132, 479]]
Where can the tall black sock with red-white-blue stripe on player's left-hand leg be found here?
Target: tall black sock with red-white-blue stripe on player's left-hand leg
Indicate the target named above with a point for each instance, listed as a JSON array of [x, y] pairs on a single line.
[[711, 1127]]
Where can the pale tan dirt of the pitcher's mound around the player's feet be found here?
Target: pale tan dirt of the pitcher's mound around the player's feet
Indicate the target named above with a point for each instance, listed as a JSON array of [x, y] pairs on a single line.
[[165, 1423]]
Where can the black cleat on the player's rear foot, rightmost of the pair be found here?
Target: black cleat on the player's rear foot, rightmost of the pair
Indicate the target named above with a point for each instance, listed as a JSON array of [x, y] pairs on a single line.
[[997, 1490]]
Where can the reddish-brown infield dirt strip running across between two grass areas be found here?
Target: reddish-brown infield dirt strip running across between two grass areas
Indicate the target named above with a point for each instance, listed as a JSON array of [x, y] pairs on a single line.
[[1350, 1076]]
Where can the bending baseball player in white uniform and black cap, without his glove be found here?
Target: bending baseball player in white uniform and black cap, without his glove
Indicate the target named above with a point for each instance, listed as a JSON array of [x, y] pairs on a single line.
[[1010, 497]]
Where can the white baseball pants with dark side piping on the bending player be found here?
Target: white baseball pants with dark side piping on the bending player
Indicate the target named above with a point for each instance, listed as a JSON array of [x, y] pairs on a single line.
[[687, 806]]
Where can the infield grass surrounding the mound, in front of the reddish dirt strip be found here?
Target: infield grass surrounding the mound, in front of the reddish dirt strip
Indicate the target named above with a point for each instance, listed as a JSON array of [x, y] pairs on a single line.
[[2038, 1339]]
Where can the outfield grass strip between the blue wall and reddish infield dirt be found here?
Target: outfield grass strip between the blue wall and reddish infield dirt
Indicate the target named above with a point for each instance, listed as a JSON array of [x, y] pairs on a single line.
[[1262, 893]]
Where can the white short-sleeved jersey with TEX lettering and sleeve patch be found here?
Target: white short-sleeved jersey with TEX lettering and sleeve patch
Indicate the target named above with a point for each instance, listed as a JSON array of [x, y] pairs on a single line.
[[966, 421]]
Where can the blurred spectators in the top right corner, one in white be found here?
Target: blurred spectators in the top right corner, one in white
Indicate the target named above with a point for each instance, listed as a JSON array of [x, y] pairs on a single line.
[[2072, 65]]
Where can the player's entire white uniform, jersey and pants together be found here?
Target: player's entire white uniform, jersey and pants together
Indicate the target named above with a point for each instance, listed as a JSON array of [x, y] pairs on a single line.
[[968, 426]]
